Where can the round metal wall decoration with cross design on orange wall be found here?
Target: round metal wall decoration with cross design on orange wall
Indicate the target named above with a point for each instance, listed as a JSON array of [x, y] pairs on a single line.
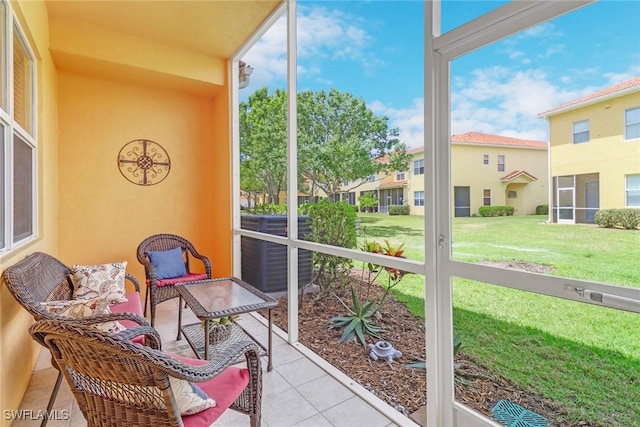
[[144, 162]]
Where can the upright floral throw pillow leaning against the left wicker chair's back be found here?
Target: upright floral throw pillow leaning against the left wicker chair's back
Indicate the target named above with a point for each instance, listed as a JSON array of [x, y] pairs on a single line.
[[100, 281]]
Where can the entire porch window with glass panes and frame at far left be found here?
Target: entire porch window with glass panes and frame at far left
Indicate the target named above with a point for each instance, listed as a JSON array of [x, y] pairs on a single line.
[[17, 137]]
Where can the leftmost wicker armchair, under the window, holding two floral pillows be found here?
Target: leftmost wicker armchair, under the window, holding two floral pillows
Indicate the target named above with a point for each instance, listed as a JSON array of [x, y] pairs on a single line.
[[40, 277]]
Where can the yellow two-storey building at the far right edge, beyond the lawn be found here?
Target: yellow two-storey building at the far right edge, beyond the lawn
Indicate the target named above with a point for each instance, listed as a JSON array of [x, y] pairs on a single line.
[[595, 153]]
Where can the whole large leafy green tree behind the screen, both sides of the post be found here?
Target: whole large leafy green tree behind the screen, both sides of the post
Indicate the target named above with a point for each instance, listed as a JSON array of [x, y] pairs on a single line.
[[339, 140]]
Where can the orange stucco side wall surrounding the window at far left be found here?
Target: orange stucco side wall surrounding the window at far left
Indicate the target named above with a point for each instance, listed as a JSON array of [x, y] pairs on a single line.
[[18, 352]]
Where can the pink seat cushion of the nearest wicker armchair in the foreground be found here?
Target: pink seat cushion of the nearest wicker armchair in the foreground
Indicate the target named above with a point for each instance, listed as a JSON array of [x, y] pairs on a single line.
[[224, 388]]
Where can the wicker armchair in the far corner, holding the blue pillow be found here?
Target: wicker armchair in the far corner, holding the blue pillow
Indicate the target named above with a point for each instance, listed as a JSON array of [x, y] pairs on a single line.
[[160, 290]]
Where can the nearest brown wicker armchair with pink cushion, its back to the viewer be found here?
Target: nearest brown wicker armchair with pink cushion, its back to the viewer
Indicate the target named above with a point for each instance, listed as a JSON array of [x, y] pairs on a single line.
[[118, 383]]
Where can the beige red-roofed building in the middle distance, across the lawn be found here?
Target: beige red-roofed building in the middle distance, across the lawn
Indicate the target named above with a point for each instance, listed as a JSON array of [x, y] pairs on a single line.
[[487, 170]]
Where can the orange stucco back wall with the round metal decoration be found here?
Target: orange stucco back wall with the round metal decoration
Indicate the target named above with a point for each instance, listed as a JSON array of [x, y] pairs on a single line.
[[103, 216]]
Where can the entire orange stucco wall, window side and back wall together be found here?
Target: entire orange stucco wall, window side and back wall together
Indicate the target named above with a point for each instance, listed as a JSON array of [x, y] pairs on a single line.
[[87, 211]]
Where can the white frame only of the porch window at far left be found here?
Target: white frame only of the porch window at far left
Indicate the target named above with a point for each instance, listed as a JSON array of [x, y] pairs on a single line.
[[12, 129]]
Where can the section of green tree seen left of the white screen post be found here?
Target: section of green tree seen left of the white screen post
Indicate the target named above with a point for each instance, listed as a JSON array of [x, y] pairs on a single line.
[[263, 143]]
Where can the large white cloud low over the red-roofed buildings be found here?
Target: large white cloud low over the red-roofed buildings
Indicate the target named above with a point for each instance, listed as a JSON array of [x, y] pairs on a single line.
[[493, 100]]
